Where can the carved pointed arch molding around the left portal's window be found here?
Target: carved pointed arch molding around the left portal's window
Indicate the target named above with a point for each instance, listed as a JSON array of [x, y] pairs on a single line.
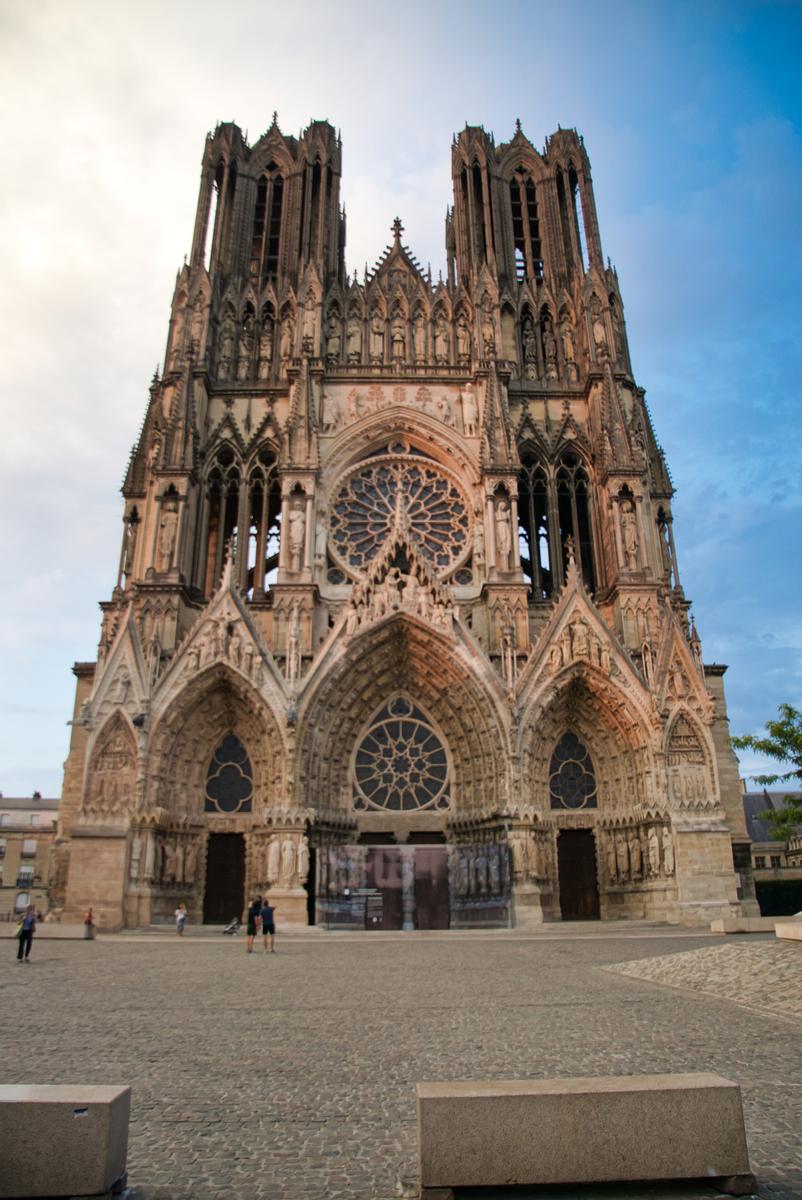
[[190, 730]]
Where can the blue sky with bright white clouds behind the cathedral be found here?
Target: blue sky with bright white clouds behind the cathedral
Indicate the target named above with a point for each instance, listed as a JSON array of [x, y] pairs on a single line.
[[692, 116]]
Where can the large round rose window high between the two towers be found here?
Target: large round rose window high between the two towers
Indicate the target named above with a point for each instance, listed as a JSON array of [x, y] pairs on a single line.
[[366, 509]]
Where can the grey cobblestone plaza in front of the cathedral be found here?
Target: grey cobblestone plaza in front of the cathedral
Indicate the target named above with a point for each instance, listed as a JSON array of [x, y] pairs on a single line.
[[291, 1077]]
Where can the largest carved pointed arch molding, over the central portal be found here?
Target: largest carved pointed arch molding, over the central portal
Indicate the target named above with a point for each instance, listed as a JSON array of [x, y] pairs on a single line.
[[404, 656]]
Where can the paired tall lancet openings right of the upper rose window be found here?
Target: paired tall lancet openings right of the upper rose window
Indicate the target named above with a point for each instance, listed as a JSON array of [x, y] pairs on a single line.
[[554, 507]]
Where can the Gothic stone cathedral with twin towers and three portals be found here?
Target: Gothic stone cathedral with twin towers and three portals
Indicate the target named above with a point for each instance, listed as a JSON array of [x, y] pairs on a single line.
[[398, 637]]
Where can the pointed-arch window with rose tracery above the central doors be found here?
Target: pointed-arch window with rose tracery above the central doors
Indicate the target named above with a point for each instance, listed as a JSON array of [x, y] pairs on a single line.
[[402, 764]]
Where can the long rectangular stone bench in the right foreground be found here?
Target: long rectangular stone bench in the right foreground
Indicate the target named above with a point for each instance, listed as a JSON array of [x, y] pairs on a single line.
[[582, 1131]]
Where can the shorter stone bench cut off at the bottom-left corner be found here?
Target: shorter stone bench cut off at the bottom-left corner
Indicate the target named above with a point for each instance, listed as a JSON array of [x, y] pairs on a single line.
[[63, 1141]]
